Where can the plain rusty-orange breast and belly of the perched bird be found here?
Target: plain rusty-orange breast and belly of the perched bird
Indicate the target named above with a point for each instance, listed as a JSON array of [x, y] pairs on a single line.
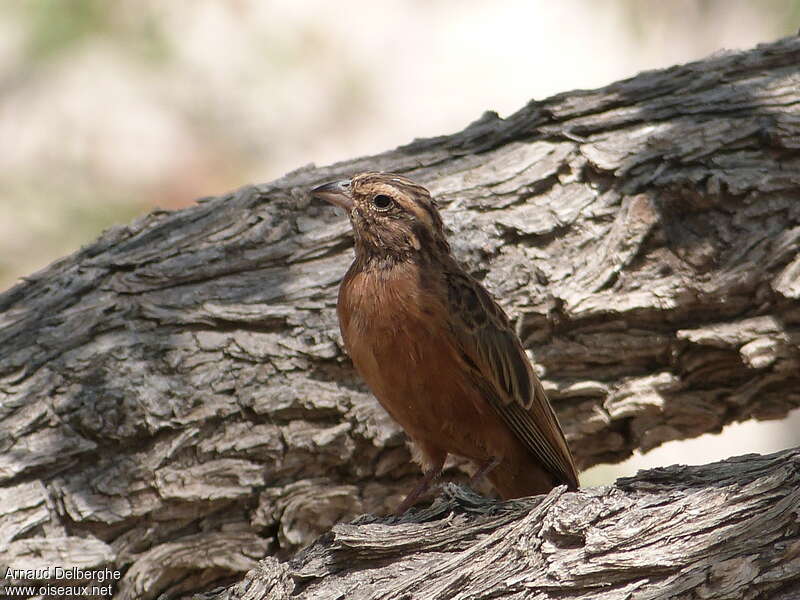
[[396, 328]]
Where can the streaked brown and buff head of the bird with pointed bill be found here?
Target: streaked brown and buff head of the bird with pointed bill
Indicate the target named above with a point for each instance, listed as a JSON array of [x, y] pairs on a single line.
[[392, 217]]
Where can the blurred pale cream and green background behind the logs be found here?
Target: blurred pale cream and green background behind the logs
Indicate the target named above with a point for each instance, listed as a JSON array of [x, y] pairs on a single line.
[[111, 109]]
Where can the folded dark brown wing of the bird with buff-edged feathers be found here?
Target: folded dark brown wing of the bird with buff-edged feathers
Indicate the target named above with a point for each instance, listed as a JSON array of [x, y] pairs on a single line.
[[493, 351]]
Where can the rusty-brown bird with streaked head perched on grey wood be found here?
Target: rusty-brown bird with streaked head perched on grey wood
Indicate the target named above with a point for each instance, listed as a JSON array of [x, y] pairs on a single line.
[[436, 349]]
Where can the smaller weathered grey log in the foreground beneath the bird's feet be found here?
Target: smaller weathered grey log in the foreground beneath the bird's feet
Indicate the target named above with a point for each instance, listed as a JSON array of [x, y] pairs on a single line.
[[728, 530]]
